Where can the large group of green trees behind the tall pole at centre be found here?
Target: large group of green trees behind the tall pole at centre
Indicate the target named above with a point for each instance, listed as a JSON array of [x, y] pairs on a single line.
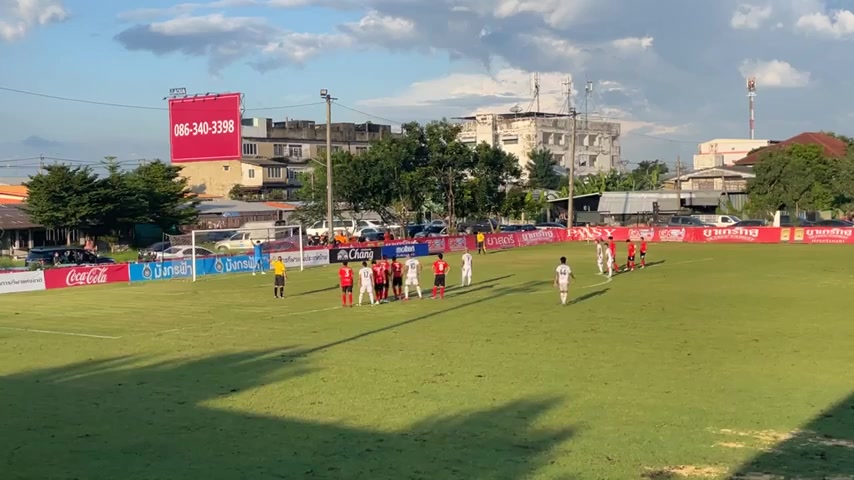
[[405, 177]]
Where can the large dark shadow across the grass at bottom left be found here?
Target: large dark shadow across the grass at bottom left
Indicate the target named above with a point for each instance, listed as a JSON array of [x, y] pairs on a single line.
[[129, 419]]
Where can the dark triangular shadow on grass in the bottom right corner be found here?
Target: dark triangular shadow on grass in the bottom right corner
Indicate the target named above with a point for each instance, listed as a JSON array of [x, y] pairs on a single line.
[[823, 448]]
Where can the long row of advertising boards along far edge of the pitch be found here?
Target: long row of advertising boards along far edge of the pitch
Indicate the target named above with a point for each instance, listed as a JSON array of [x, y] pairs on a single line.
[[55, 278]]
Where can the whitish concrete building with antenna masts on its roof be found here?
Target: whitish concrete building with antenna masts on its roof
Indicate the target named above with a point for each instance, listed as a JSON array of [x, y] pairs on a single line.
[[597, 147]]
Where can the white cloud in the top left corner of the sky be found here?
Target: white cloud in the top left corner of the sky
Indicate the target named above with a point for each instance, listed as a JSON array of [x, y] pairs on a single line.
[[18, 17]]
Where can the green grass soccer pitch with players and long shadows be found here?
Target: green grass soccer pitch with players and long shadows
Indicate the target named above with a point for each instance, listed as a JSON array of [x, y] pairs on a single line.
[[718, 362]]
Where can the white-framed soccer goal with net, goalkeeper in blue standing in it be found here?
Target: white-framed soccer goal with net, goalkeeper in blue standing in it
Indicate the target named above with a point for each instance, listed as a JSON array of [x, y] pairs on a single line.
[[235, 250]]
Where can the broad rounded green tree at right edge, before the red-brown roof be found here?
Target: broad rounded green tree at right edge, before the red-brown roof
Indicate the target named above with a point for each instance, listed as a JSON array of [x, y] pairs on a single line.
[[800, 178]]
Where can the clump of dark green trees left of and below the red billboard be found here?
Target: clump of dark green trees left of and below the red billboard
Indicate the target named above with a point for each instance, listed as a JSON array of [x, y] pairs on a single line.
[[76, 198]]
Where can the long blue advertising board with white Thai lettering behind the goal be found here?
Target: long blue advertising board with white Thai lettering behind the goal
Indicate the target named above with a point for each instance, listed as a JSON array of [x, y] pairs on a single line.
[[140, 272]]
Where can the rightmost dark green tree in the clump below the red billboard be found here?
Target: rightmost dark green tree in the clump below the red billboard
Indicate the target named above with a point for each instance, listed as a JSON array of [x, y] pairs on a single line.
[[163, 195]]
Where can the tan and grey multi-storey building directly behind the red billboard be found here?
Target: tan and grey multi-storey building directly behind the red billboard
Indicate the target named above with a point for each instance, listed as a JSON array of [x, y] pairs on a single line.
[[274, 153]]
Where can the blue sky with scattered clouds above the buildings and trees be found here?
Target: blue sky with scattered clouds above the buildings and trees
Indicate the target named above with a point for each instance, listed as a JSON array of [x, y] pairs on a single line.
[[672, 71]]
